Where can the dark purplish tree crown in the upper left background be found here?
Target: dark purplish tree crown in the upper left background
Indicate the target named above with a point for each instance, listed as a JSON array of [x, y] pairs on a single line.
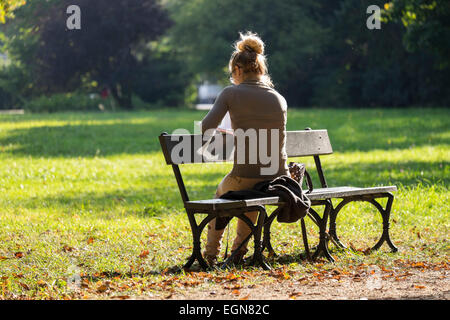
[[103, 53]]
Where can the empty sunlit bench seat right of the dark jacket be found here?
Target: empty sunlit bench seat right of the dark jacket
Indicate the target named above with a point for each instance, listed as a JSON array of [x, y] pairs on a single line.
[[342, 192]]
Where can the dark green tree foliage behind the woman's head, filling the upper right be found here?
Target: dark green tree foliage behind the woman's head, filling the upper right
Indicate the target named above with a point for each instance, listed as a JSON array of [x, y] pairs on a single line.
[[319, 52]]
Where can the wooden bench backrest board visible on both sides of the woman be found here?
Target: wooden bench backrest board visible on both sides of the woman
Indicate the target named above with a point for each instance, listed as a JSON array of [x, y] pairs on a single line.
[[298, 144]]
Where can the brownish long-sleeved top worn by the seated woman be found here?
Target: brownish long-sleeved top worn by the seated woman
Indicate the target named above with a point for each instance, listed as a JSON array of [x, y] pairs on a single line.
[[254, 105]]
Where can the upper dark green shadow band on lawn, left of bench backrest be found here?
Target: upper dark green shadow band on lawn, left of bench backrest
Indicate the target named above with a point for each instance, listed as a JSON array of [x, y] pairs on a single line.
[[73, 141]]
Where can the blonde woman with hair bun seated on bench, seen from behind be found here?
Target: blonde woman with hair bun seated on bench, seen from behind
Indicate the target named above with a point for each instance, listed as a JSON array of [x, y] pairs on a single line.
[[252, 103]]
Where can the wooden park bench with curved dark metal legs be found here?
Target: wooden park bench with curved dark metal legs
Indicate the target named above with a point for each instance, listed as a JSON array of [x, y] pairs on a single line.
[[303, 143]]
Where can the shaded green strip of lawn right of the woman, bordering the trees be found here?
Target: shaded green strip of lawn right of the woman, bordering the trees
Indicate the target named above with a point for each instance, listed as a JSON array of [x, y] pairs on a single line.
[[372, 129]]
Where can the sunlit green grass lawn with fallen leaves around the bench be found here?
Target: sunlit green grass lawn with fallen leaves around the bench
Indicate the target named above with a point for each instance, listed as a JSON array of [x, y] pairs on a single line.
[[90, 195]]
